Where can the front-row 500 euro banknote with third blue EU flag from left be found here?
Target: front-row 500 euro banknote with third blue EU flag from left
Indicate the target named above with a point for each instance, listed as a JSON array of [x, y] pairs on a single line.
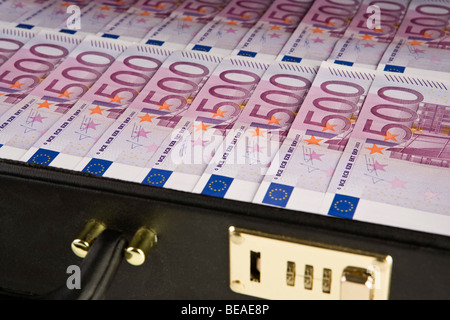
[[185, 153]]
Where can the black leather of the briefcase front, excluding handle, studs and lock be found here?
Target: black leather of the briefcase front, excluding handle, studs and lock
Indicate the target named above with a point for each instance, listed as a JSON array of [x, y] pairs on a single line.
[[42, 210]]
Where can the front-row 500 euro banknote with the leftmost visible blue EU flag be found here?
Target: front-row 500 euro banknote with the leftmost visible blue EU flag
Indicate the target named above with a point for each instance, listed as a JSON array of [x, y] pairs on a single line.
[[73, 135]]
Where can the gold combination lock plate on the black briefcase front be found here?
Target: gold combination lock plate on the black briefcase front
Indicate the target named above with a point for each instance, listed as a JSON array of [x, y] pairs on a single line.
[[280, 268]]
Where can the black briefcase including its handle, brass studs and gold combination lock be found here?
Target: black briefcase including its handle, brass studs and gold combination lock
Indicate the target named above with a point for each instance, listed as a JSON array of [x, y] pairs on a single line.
[[131, 241]]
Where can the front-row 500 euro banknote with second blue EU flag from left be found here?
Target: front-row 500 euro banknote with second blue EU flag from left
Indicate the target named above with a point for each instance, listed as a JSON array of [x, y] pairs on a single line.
[[130, 142]]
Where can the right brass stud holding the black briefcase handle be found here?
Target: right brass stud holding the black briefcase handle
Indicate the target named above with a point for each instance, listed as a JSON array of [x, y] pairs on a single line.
[[141, 244]]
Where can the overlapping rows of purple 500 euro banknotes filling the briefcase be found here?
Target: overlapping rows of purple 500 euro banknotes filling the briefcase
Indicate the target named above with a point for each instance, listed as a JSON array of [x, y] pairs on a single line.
[[333, 107]]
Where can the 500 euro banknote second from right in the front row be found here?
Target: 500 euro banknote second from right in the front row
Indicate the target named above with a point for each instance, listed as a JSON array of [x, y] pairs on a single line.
[[309, 155]]
